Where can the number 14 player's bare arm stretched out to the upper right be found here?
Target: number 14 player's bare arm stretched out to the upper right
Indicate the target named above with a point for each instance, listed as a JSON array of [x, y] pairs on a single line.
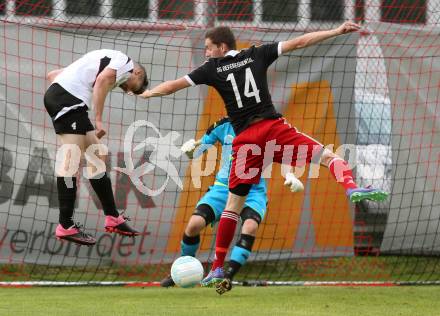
[[316, 37]]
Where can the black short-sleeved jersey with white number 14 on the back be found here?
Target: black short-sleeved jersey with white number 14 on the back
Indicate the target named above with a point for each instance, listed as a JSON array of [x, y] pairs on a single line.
[[241, 80]]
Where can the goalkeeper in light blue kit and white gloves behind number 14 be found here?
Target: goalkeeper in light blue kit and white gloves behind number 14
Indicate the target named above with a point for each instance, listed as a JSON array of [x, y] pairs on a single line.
[[212, 204]]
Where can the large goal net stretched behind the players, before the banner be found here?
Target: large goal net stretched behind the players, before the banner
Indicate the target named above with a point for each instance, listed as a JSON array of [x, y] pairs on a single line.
[[372, 95]]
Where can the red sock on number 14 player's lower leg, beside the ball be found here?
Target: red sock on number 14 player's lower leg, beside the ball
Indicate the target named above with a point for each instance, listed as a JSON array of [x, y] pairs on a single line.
[[225, 234]]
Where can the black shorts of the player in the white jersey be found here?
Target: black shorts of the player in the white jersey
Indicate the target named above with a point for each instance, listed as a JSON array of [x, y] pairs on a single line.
[[68, 113]]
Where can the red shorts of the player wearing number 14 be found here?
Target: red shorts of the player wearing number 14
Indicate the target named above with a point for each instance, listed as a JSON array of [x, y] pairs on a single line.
[[267, 141]]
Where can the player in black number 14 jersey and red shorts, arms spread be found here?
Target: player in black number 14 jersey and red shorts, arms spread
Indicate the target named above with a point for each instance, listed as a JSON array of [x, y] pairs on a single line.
[[240, 77]]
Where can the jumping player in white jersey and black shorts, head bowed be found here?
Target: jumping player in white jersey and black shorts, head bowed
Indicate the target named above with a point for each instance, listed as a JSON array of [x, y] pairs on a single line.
[[73, 90]]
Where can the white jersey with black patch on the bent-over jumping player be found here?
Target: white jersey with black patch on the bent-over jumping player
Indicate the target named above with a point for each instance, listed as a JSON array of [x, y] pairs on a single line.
[[79, 77]]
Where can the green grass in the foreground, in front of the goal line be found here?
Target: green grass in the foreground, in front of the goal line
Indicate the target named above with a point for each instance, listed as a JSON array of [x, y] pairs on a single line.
[[66, 301]]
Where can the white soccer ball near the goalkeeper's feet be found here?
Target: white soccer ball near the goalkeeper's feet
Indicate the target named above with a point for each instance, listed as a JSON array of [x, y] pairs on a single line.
[[187, 271]]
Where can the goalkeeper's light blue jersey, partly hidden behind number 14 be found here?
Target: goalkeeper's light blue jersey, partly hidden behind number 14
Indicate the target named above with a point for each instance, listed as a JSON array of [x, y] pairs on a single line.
[[223, 132]]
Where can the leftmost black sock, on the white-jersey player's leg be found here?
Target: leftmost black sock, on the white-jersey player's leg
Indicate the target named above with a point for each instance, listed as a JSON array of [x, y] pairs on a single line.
[[66, 198]]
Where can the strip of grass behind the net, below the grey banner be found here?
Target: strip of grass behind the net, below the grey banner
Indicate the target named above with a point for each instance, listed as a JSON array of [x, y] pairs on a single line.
[[372, 268]]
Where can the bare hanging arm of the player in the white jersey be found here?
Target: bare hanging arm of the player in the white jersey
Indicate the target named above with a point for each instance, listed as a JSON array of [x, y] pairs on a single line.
[[103, 85]]
